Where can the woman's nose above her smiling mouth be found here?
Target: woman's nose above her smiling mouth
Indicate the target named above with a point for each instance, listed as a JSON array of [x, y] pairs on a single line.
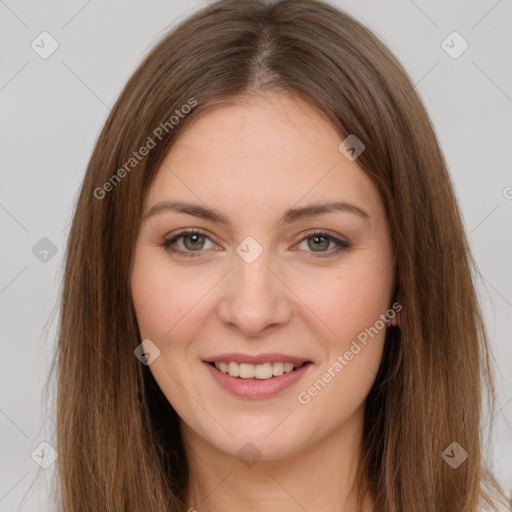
[[255, 300]]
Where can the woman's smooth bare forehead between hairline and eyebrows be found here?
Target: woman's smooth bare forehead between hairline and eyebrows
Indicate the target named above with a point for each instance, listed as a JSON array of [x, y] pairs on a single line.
[[264, 153]]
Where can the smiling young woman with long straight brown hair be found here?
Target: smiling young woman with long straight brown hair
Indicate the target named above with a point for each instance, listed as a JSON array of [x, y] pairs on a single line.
[[268, 284]]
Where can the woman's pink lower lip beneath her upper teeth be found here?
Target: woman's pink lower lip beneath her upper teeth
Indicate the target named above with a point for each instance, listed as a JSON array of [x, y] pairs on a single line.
[[257, 388]]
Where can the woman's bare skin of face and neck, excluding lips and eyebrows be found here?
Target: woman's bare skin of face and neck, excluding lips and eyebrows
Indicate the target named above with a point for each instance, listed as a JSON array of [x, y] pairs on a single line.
[[252, 160]]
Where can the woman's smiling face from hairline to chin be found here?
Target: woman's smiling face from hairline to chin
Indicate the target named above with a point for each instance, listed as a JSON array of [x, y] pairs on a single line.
[[261, 281]]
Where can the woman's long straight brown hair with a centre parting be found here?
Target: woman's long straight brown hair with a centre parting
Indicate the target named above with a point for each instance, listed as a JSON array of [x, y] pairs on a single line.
[[118, 438]]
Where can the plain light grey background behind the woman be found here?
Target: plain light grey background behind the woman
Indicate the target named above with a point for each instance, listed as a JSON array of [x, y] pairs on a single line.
[[52, 111]]
